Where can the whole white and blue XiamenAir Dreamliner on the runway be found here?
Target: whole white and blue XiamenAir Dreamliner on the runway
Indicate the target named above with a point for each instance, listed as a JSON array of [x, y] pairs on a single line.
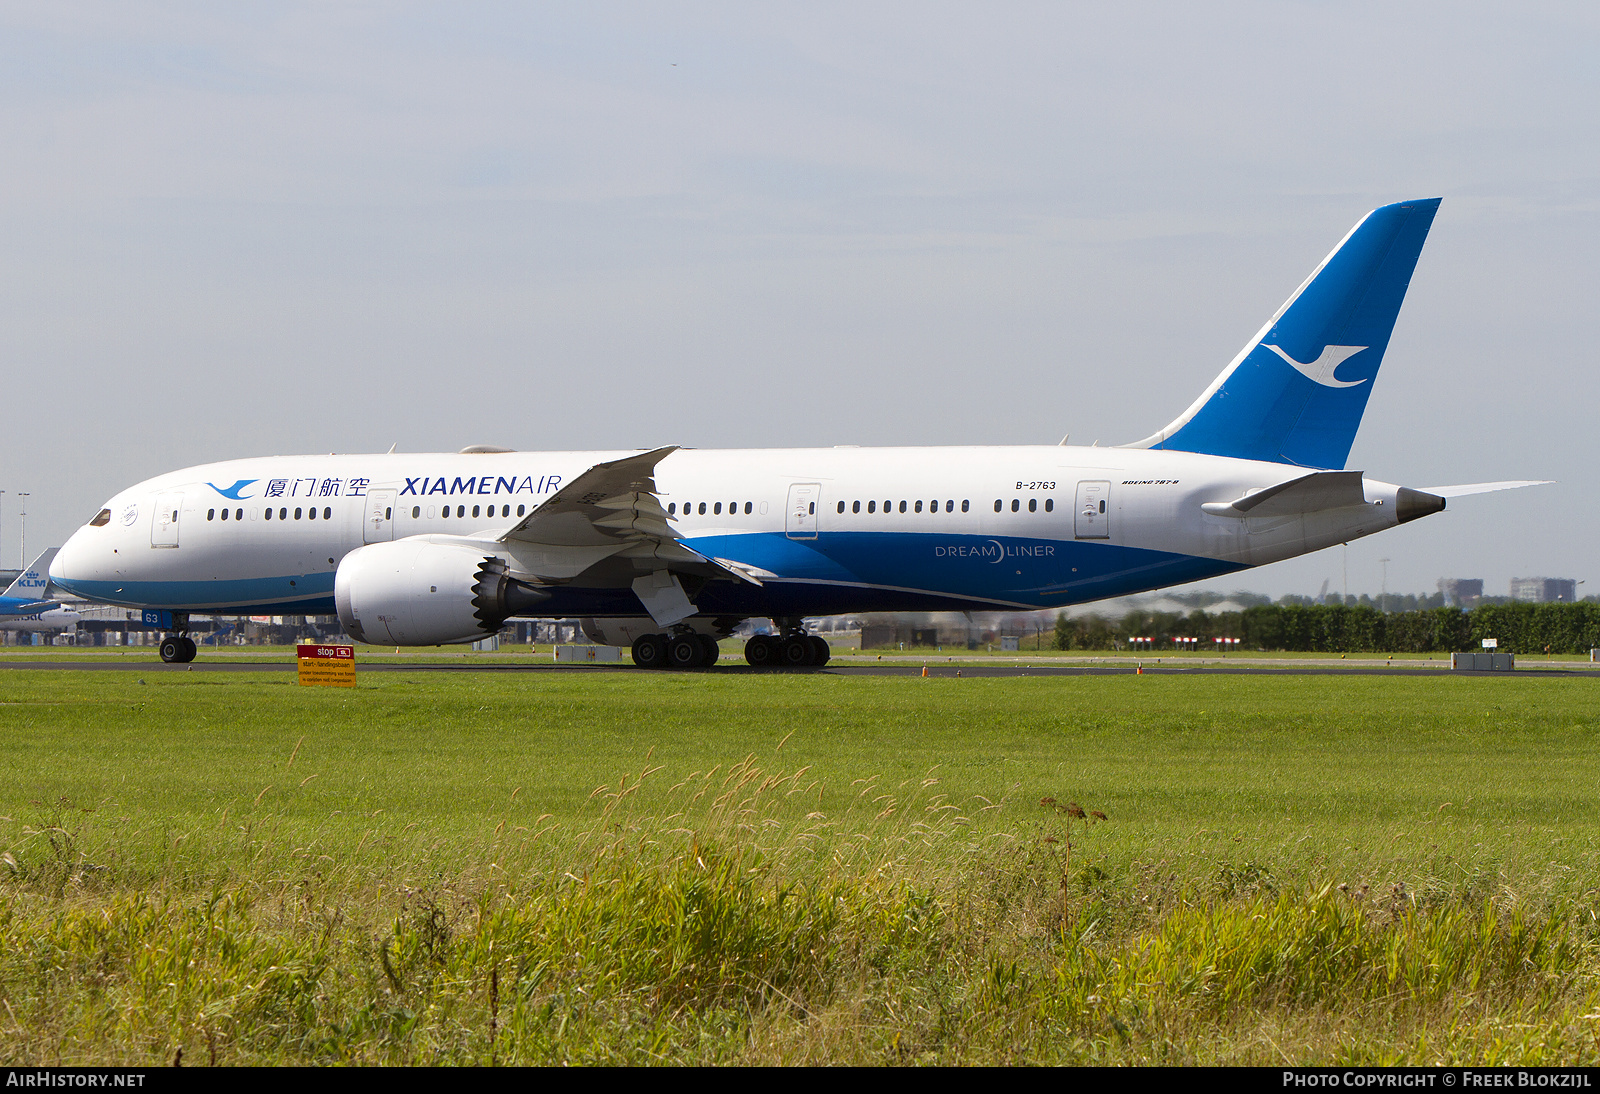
[[668, 549]]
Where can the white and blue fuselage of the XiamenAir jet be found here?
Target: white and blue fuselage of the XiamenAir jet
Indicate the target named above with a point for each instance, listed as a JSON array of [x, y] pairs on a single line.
[[892, 529]]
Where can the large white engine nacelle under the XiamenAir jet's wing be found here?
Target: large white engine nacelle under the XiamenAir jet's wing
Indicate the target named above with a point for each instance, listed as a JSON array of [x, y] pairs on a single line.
[[423, 593]]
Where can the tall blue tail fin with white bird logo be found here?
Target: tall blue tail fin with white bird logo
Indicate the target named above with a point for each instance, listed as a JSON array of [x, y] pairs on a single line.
[[1300, 388]]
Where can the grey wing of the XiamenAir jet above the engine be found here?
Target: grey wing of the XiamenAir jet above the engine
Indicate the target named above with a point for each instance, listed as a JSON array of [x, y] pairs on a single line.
[[612, 511]]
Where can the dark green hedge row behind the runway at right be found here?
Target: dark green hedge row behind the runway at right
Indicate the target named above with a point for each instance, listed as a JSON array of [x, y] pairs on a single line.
[[1521, 628]]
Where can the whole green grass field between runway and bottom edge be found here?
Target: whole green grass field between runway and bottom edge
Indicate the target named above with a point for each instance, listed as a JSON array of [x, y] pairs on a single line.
[[732, 868]]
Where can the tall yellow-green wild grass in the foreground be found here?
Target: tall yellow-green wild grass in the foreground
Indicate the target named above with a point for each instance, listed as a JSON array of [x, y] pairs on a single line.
[[721, 919]]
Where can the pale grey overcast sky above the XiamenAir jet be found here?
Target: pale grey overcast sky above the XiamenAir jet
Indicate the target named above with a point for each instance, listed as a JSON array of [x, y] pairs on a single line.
[[244, 230]]
